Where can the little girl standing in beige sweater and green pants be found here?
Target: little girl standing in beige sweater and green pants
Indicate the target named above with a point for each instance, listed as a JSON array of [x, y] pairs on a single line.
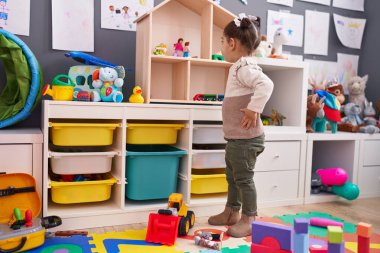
[[248, 89]]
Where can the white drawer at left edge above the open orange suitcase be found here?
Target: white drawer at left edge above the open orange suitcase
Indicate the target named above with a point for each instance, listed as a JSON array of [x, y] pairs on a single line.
[[16, 158]]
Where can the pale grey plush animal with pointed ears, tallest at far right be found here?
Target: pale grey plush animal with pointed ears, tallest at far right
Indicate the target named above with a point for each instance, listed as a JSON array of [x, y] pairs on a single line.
[[356, 89]]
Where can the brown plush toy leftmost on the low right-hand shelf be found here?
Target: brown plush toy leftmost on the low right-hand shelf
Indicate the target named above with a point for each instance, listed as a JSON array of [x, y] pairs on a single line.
[[314, 110]]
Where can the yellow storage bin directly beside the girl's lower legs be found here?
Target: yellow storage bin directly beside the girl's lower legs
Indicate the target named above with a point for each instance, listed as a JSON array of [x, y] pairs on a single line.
[[205, 181]]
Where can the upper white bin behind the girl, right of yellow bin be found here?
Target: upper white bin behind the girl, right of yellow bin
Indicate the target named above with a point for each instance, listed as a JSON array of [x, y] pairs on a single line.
[[208, 134]]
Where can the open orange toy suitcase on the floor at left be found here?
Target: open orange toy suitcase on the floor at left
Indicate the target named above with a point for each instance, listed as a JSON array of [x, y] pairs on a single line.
[[18, 194]]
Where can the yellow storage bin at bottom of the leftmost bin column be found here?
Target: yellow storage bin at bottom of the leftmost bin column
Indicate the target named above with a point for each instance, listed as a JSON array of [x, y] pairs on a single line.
[[82, 192]]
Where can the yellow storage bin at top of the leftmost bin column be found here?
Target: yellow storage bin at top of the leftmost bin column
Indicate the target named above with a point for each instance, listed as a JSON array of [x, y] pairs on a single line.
[[82, 134]]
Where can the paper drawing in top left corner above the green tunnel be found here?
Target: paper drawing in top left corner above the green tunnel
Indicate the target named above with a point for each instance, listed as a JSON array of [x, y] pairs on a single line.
[[15, 16]]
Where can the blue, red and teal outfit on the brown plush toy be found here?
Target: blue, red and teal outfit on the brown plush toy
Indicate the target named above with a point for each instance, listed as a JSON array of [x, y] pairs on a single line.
[[332, 113]]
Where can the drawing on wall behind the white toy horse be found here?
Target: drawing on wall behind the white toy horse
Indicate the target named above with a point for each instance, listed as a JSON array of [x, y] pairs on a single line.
[[291, 23]]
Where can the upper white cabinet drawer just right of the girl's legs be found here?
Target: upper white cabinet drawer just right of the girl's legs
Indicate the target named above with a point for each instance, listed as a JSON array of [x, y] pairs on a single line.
[[279, 156]]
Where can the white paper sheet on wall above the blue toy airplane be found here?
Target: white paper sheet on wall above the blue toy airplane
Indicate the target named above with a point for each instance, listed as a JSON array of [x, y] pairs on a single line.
[[73, 25]]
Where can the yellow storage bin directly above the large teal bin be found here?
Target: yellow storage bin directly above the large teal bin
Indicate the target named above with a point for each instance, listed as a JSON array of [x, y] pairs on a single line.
[[152, 133]]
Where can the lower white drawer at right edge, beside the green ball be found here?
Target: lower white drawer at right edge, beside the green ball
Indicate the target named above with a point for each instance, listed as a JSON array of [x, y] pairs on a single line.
[[369, 180]]
